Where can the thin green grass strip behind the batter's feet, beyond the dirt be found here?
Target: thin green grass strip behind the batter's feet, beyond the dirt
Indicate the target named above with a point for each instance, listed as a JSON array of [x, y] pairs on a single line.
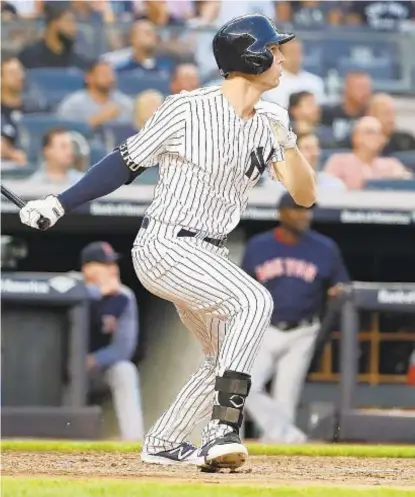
[[254, 449]]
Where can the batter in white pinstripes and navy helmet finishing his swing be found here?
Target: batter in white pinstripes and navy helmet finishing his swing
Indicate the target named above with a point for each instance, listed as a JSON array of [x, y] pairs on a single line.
[[211, 145]]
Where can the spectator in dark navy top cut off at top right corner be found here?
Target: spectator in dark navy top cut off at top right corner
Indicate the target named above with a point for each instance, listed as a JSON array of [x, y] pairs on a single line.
[[382, 15]]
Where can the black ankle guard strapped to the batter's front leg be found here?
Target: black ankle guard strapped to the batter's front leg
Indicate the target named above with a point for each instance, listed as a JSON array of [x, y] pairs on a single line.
[[232, 388]]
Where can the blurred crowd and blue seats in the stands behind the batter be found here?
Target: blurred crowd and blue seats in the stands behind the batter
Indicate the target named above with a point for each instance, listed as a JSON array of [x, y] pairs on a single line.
[[78, 77]]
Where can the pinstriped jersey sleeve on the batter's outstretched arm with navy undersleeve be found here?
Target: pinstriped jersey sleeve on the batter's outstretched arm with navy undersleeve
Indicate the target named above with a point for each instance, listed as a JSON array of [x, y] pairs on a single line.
[[142, 149]]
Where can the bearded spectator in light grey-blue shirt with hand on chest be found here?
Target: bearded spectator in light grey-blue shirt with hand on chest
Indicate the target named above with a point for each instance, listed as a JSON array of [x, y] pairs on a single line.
[[100, 103]]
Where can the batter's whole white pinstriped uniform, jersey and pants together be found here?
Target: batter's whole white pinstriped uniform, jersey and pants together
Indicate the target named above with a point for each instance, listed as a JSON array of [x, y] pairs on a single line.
[[209, 159]]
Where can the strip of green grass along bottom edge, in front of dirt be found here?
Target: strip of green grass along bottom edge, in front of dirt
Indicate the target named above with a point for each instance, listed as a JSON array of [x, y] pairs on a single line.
[[53, 487]]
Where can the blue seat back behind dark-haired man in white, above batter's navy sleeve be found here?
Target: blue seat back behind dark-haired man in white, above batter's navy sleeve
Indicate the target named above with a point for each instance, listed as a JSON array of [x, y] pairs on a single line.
[[33, 127]]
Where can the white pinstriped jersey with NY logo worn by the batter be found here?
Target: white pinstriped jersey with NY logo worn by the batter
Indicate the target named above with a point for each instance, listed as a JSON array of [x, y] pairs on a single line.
[[209, 158]]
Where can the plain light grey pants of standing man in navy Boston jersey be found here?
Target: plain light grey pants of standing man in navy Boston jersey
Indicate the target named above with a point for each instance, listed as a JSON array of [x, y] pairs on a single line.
[[284, 357]]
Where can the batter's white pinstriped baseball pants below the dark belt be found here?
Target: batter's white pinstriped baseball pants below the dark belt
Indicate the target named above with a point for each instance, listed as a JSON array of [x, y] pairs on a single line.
[[222, 306]]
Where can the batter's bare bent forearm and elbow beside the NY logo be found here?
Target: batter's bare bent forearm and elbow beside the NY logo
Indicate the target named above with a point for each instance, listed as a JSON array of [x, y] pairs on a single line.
[[298, 177]]
